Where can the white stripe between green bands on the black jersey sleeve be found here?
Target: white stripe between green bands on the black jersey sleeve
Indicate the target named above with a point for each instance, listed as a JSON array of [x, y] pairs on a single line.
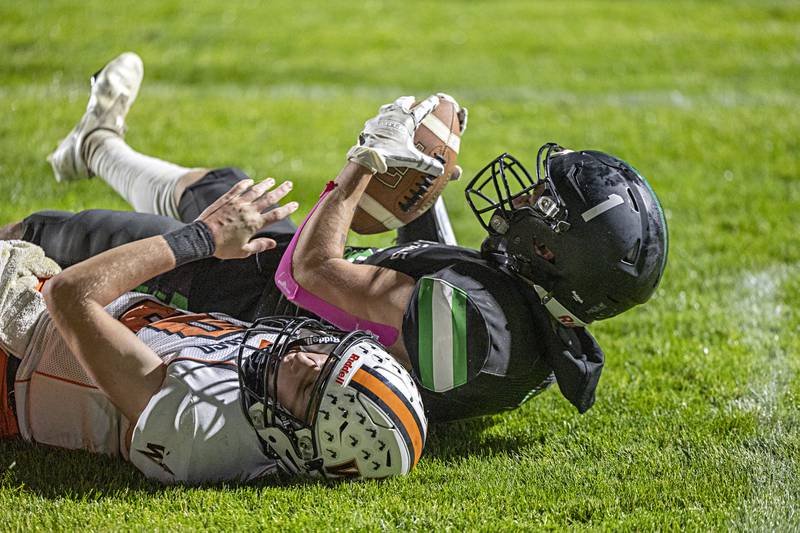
[[441, 316]]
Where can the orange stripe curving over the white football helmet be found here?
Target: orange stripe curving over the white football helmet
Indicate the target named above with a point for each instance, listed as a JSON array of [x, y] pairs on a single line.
[[404, 415]]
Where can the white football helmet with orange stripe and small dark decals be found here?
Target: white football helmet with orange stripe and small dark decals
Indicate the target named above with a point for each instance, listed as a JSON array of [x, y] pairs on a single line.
[[365, 418]]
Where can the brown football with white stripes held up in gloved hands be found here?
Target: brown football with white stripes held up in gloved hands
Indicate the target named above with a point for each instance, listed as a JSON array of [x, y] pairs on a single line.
[[400, 195]]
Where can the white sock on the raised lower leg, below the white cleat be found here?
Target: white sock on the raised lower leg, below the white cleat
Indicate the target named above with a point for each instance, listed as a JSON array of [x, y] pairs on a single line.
[[147, 183]]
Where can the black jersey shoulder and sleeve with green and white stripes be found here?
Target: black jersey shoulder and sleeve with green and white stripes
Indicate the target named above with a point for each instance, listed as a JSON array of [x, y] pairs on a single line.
[[498, 370]]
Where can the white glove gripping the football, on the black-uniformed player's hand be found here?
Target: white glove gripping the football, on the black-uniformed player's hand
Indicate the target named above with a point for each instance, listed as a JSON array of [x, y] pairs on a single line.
[[388, 138]]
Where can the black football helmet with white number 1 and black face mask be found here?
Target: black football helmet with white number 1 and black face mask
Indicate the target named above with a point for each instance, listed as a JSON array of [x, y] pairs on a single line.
[[588, 234]]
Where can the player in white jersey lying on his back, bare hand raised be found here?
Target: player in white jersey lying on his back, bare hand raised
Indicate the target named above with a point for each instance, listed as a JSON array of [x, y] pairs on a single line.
[[197, 397]]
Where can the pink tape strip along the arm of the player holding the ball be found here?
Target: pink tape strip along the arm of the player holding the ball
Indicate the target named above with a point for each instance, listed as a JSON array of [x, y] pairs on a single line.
[[340, 318]]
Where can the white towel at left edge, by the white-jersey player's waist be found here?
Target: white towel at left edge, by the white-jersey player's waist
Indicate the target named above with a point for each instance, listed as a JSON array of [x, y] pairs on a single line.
[[21, 263]]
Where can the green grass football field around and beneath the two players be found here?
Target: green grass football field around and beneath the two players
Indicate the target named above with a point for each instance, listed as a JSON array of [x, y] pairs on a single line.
[[696, 424]]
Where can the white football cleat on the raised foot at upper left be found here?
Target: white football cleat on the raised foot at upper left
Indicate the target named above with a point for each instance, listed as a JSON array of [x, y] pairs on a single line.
[[114, 89]]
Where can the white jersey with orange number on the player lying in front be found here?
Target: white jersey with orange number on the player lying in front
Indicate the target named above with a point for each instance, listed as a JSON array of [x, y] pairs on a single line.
[[192, 430]]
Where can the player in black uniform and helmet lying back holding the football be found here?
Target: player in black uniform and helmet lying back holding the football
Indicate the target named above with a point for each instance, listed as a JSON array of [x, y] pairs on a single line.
[[483, 330]]
